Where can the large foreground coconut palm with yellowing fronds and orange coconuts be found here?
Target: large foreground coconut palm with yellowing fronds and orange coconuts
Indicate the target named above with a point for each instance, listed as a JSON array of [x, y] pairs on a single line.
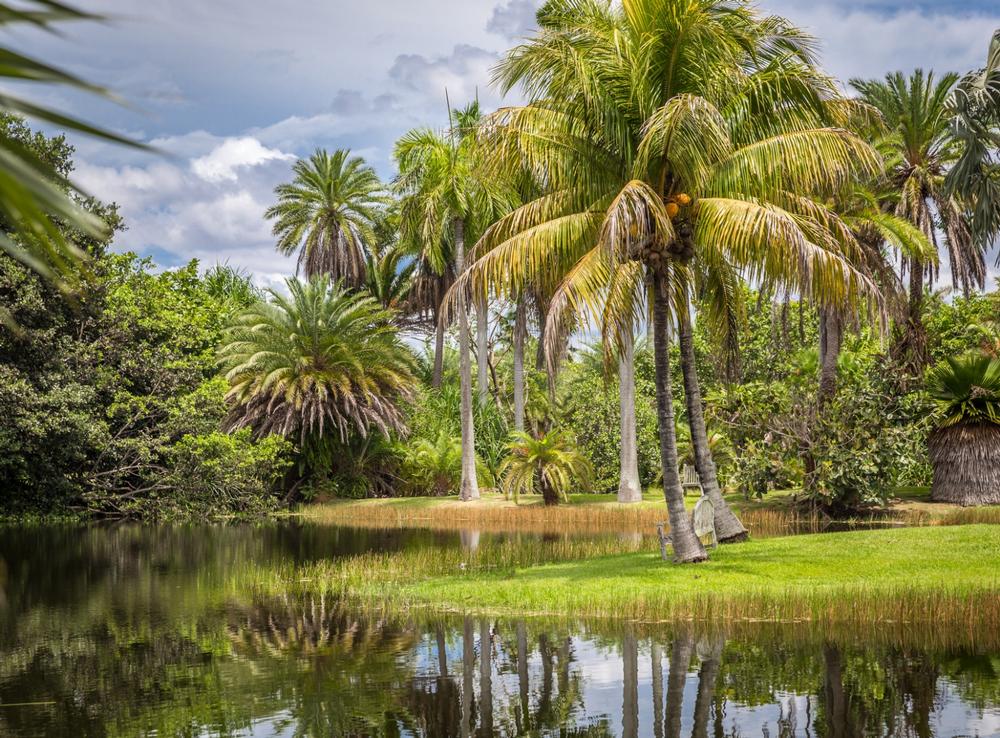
[[702, 154]]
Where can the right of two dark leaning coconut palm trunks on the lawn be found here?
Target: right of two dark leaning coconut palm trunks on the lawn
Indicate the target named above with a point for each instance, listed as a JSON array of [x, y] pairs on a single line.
[[728, 527]]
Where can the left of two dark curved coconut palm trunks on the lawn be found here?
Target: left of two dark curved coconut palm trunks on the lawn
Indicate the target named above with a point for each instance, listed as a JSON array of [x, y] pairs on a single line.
[[687, 547]]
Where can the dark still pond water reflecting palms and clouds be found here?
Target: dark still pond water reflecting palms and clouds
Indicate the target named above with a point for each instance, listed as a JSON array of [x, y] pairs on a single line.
[[129, 631]]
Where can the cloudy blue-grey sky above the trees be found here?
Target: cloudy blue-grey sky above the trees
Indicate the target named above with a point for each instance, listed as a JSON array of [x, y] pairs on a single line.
[[231, 92]]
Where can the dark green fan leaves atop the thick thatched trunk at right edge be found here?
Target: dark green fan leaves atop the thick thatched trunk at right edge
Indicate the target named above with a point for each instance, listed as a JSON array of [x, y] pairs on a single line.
[[967, 389]]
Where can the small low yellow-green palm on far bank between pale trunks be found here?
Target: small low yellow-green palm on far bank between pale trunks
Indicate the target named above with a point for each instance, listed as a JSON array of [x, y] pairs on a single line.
[[549, 464]]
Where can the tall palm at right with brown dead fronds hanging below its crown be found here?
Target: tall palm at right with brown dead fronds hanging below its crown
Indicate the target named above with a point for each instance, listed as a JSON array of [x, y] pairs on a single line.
[[919, 150]]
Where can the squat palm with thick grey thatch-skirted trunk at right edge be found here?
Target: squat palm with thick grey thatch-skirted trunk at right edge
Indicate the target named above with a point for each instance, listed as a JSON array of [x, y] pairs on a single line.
[[965, 447]]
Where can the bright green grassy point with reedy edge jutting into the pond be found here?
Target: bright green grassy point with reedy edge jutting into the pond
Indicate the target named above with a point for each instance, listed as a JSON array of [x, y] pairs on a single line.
[[919, 575]]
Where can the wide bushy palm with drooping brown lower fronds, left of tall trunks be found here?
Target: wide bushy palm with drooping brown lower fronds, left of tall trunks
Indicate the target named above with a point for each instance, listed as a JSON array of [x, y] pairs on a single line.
[[318, 366]]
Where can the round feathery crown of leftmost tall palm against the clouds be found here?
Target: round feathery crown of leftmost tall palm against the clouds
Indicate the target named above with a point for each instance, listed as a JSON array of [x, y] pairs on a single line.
[[328, 214]]
